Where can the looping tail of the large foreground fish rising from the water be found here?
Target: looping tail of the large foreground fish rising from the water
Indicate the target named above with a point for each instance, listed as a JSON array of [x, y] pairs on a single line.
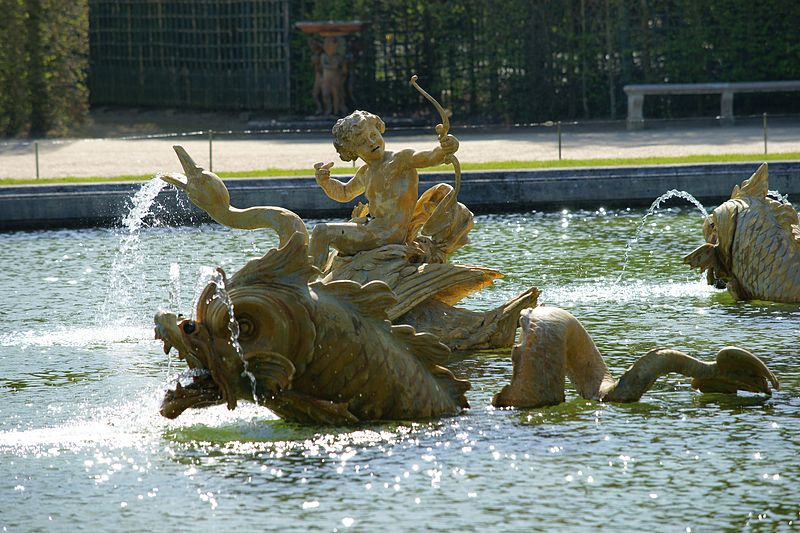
[[554, 345]]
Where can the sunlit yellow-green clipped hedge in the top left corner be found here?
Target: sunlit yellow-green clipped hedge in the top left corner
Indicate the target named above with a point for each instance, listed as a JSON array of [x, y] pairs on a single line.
[[43, 66]]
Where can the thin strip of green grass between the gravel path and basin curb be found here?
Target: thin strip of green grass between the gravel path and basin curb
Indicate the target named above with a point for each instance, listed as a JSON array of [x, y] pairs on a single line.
[[493, 165]]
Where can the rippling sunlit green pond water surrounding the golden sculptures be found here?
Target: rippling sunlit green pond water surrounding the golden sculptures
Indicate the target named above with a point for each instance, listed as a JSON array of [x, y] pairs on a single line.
[[82, 446]]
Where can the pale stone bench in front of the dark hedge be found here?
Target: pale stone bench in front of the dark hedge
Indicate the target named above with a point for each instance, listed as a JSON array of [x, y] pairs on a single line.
[[636, 94]]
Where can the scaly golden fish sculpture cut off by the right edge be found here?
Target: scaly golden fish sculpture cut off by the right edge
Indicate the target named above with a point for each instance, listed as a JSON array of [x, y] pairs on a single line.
[[752, 245]]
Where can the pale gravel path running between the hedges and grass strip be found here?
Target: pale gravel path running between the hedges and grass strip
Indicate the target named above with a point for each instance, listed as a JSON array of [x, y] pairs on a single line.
[[114, 157]]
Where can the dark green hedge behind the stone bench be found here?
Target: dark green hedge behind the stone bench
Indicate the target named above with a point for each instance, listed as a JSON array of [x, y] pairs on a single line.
[[535, 60]]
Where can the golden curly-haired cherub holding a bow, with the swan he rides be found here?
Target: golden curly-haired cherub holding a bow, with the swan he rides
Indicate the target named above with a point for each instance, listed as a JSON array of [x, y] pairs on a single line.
[[399, 238]]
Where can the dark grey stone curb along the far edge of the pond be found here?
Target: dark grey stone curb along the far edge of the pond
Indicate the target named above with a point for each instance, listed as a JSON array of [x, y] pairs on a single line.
[[104, 204]]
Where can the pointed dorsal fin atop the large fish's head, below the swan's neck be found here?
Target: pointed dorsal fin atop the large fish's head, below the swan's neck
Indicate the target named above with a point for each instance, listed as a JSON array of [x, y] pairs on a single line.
[[289, 261]]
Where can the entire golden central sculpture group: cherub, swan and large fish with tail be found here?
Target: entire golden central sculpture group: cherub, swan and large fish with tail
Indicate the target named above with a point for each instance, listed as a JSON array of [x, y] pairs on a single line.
[[364, 332]]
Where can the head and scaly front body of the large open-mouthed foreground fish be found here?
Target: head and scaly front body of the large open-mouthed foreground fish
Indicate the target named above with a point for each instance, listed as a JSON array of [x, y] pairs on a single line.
[[316, 352]]
